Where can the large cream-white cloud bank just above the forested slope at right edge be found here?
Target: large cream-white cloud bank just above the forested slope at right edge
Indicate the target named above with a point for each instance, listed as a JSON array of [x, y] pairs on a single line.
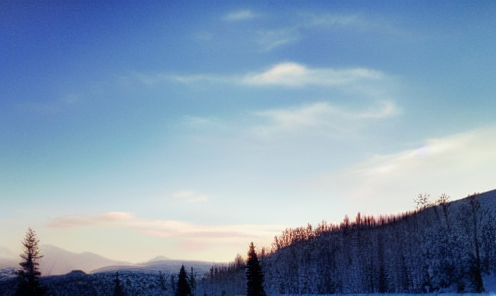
[[458, 165]]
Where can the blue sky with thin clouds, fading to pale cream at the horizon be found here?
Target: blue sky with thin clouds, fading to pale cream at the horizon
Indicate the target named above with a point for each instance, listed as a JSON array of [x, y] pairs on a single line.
[[188, 129]]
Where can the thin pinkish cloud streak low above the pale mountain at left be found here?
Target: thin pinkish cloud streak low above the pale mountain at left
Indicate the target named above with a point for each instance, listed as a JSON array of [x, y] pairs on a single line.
[[89, 220]]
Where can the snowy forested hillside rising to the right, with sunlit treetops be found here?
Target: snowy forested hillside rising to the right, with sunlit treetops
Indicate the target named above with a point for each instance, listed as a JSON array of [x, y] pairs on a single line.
[[439, 246]]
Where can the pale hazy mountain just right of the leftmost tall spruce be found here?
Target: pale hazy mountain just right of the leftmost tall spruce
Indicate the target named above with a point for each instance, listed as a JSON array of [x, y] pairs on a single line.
[[57, 261]]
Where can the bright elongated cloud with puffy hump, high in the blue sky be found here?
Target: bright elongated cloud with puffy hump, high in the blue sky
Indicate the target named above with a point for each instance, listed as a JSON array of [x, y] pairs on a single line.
[[295, 75]]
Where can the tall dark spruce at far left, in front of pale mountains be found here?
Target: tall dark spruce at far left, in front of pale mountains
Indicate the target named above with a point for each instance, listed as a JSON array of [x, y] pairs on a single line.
[[28, 276]]
